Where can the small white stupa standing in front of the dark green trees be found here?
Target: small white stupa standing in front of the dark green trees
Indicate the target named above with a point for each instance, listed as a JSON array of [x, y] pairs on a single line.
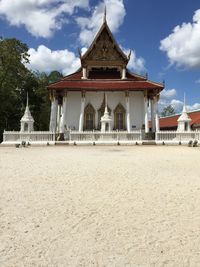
[[27, 120]]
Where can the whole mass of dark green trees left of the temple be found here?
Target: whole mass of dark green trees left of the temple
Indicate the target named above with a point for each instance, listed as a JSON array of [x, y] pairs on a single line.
[[15, 81]]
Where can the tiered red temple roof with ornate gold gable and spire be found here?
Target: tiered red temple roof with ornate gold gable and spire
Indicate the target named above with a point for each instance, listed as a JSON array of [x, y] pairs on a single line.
[[102, 62]]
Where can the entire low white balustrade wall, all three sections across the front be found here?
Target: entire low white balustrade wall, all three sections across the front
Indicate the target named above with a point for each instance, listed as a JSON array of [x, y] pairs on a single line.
[[36, 137]]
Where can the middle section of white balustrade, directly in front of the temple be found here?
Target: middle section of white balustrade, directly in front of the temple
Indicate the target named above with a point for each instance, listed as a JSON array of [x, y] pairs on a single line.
[[106, 136]]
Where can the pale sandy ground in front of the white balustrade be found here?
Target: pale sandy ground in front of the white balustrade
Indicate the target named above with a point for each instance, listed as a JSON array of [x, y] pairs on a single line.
[[100, 206]]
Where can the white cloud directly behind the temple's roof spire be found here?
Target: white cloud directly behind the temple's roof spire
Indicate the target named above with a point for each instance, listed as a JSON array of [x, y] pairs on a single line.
[[89, 26]]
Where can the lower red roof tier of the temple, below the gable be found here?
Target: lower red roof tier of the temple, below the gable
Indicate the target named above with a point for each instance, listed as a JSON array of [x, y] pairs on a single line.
[[105, 81]]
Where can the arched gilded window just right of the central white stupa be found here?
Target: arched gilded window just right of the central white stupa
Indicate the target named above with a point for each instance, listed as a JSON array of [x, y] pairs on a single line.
[[119, 117]]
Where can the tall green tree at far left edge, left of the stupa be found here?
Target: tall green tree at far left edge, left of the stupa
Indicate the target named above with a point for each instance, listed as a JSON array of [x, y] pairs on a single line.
[[13, 55]]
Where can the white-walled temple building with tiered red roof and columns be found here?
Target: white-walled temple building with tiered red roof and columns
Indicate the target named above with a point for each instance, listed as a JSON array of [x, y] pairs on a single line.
[[103, 95]]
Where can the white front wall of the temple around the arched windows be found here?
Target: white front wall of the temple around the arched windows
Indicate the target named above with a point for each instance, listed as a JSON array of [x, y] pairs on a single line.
[[113, 99]]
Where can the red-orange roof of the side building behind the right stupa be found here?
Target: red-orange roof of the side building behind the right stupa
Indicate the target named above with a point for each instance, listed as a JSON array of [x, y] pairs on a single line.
[[171, 121]]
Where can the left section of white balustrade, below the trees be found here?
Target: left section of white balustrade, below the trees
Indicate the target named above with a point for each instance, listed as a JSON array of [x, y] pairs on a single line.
[[36, 136]]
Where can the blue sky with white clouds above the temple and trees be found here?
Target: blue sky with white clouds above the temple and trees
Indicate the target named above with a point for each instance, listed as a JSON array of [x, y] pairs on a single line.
[[164, 37]]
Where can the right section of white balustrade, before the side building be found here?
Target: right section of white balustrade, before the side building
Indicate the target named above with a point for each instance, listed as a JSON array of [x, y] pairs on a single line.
[[177, 136]]
